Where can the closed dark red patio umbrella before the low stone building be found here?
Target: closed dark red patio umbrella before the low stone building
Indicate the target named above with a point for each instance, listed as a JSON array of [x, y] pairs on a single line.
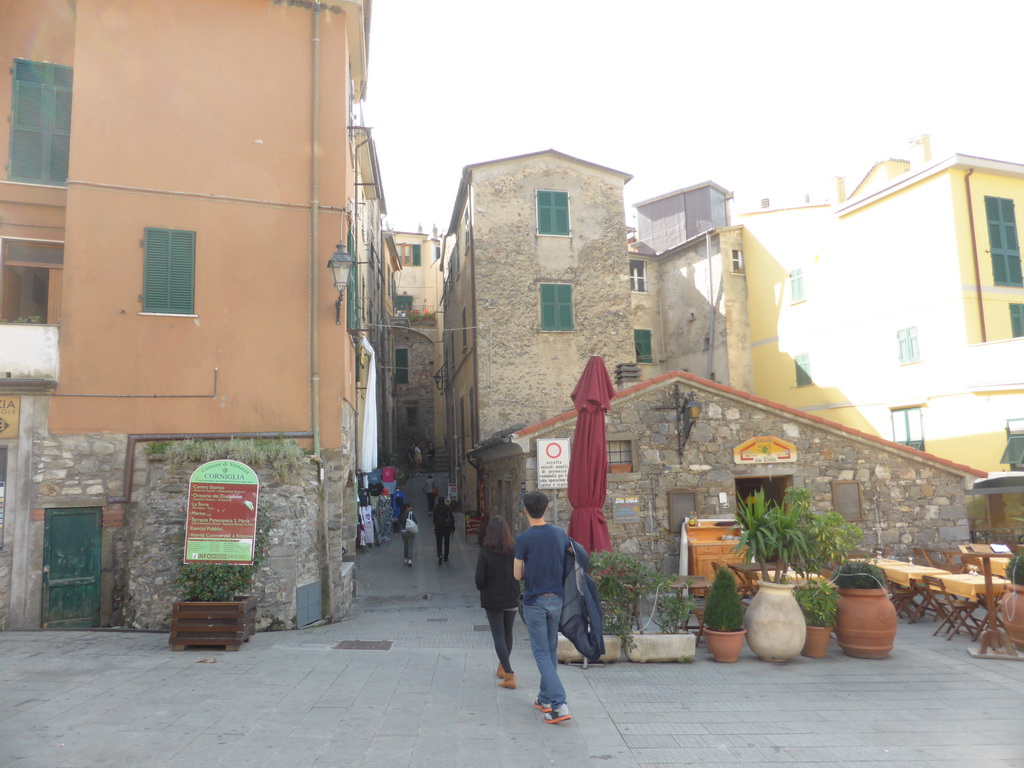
[[589, 461]]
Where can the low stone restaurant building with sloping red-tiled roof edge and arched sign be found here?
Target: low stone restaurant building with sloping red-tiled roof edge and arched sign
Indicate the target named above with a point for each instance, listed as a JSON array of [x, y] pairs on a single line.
[[899, 496]]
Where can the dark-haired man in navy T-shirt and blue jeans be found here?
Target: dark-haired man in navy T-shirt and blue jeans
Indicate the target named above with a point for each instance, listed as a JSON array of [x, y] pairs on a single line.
[[540, 557]]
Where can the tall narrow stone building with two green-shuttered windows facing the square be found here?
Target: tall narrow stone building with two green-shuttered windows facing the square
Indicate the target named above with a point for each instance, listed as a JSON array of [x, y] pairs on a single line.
[[536, 283]]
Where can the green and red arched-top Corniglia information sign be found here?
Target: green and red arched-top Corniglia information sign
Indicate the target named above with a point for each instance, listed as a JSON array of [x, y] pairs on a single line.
[[221, 522]]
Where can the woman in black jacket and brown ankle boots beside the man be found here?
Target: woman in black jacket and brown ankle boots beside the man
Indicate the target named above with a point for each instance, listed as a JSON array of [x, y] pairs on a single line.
[[499, 592]]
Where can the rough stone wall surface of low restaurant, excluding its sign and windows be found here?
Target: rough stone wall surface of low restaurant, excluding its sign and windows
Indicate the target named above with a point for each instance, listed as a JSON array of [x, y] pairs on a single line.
[[908, 500]]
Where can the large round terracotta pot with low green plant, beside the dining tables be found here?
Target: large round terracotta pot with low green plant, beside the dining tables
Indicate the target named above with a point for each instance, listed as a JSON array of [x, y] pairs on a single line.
[[866, 621]]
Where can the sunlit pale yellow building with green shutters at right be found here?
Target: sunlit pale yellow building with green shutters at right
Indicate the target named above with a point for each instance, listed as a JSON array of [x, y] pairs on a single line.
[[901, 311]]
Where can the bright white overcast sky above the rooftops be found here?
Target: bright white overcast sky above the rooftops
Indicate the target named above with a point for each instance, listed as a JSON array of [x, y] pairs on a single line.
[[766, 99]]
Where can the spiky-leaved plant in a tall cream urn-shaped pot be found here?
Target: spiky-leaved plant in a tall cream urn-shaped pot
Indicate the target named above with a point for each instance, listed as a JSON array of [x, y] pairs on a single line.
[[773, 533]]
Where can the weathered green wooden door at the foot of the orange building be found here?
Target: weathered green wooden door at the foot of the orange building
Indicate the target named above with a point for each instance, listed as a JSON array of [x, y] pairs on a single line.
[[71, 568]]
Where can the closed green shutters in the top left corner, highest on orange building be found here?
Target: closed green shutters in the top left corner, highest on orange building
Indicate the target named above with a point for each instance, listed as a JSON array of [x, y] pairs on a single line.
[[40, 123]]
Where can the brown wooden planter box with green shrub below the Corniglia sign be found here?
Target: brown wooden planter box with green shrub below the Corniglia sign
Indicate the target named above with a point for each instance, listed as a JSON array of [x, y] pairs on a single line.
[[218, 606]]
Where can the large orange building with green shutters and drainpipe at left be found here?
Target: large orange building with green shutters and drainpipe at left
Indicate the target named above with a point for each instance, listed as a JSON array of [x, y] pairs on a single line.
[[179, 173]]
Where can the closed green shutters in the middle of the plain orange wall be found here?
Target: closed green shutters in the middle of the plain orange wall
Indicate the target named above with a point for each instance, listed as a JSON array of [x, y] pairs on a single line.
[[169, 272]]
